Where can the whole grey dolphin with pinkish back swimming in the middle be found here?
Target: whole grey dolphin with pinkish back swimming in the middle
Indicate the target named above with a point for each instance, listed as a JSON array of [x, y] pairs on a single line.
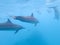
[[28, 19]]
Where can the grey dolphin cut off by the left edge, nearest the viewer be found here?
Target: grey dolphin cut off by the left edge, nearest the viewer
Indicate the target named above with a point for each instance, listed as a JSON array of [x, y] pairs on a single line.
[[9, 26]]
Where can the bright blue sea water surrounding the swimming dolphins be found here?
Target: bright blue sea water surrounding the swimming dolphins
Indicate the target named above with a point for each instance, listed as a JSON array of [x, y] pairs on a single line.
[[47, 32]]
